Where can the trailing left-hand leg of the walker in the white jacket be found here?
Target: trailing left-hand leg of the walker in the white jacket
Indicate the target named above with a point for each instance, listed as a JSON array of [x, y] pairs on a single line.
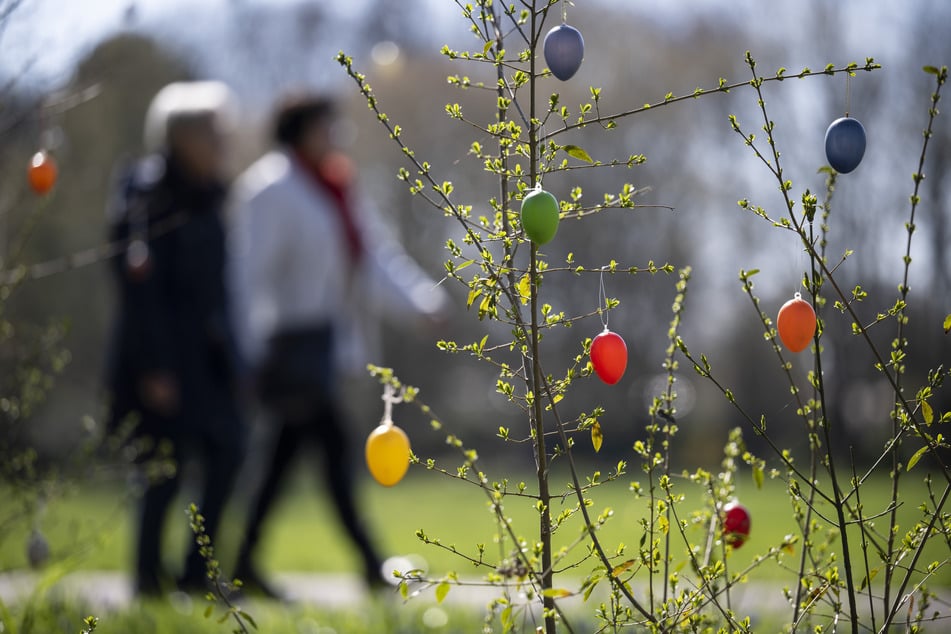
[[288, 441]]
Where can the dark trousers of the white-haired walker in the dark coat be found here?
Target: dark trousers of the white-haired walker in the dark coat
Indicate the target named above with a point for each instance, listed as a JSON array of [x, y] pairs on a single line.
[[219, 454]]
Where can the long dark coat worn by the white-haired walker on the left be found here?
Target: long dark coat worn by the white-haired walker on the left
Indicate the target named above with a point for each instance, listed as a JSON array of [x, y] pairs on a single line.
[[172, 312]]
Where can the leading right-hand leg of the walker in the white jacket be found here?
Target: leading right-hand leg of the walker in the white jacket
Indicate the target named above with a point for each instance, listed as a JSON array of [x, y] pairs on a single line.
[[339, 475]]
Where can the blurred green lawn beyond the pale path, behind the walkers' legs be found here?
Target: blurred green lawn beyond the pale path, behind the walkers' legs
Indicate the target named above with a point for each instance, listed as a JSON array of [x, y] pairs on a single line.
[[303, 534]]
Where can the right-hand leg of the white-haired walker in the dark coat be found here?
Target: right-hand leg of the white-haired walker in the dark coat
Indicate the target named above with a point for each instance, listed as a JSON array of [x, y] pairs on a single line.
[[221, 451]]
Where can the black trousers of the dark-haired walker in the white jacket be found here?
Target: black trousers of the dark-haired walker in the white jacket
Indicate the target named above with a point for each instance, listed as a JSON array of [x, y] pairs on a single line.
[[323, 429]]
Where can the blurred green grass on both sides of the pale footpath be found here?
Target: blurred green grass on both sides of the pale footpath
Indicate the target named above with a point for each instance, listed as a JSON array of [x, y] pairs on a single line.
[[94, 525]]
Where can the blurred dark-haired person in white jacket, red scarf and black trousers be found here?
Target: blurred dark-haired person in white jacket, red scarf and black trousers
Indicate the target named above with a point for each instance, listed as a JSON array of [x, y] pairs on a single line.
[[315, 269]]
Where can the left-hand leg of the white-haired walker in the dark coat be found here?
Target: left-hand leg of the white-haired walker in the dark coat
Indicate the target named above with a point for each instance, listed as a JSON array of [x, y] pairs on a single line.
[[153, 510]]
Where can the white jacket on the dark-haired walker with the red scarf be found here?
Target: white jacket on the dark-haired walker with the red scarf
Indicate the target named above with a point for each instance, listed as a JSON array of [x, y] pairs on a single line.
[[290, 267]]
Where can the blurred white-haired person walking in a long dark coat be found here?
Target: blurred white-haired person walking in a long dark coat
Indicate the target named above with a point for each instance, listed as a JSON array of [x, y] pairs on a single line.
[[174, 365]]
